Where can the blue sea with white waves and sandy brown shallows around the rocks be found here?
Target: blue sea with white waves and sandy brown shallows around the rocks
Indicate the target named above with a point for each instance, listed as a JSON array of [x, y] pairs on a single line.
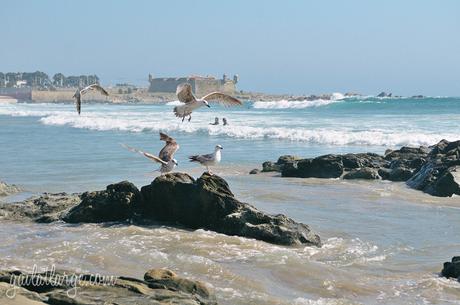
[[383, 242]]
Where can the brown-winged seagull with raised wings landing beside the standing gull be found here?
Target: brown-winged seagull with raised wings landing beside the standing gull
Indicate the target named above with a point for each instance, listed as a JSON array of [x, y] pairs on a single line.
[[166, 155]]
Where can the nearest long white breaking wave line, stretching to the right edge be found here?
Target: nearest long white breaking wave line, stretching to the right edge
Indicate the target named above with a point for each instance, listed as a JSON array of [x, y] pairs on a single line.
[[339, 137]]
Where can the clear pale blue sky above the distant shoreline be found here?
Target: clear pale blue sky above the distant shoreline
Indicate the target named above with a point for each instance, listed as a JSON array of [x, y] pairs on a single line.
[[297, 47]]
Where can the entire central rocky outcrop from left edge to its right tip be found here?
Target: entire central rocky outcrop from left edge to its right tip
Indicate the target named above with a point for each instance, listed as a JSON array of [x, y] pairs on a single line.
[[175, 198]]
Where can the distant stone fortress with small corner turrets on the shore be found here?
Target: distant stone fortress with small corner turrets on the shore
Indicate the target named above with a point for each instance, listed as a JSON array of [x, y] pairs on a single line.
[[200, 85]]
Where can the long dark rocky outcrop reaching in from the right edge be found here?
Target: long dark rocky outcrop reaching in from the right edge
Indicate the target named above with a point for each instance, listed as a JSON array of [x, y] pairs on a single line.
[[434, 170]]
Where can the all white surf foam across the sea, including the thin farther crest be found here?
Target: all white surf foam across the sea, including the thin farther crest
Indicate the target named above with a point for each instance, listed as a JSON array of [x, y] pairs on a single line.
[[245, 125]]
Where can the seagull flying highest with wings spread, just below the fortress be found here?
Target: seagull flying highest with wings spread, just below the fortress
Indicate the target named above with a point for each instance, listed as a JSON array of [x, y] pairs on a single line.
[[185, 95]]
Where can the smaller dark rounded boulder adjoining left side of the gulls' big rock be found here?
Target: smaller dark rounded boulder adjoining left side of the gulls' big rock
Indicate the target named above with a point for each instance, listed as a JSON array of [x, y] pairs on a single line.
[[116, 203]]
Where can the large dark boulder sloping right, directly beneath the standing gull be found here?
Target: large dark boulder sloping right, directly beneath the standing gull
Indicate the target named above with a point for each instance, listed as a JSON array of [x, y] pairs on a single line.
[[208, 203]]
